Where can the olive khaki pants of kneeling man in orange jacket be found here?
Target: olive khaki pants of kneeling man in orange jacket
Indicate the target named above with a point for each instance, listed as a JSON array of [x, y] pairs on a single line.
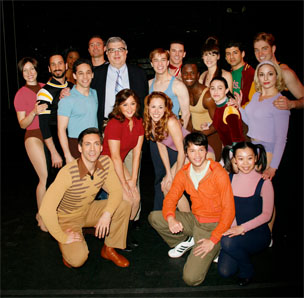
[[195, 268]]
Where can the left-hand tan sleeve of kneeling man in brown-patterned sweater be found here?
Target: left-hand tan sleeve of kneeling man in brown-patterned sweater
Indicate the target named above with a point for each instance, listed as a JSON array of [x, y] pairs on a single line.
[[50, 202]]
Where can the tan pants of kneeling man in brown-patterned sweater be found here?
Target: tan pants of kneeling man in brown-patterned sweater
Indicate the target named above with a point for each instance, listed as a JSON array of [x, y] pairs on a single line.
[[76, 253]]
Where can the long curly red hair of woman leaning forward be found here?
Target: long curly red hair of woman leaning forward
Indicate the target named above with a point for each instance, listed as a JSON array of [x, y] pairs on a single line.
[[161, 127]]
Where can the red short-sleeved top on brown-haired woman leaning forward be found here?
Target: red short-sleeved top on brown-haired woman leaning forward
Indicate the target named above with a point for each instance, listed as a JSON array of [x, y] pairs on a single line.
[[115, 130]]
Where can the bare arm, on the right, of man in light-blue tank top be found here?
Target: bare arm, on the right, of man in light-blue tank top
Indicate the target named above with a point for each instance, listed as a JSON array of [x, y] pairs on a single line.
[[181, 91]]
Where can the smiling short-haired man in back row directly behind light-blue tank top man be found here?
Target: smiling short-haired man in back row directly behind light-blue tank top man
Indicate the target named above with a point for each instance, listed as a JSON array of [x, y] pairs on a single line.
[[177, 54]]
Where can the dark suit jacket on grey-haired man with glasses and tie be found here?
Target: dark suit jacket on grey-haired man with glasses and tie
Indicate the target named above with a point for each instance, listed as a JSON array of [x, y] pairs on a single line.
[[138, 83]]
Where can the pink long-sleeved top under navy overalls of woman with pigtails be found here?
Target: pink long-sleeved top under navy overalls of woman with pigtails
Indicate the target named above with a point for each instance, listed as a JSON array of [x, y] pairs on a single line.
[[244, 185]]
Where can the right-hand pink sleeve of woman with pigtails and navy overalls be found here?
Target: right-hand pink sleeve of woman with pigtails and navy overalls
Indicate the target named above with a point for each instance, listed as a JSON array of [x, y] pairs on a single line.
[[267, 194]]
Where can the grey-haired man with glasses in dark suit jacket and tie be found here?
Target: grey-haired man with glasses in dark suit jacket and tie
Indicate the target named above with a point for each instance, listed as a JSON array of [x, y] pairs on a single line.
[[105, 77]]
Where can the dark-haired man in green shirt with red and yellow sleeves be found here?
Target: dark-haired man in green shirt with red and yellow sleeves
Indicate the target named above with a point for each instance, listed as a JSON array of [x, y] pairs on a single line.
[[242, 73]]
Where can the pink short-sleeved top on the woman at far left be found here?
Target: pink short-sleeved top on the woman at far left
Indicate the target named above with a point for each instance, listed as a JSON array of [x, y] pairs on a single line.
[[25, 100]]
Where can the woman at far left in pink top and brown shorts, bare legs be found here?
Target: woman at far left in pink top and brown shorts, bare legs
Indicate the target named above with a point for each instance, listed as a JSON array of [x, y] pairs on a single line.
[[28, 109]]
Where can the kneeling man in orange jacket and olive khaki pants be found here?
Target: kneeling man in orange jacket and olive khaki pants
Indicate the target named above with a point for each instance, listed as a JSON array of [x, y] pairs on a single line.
[[212, 209]]
